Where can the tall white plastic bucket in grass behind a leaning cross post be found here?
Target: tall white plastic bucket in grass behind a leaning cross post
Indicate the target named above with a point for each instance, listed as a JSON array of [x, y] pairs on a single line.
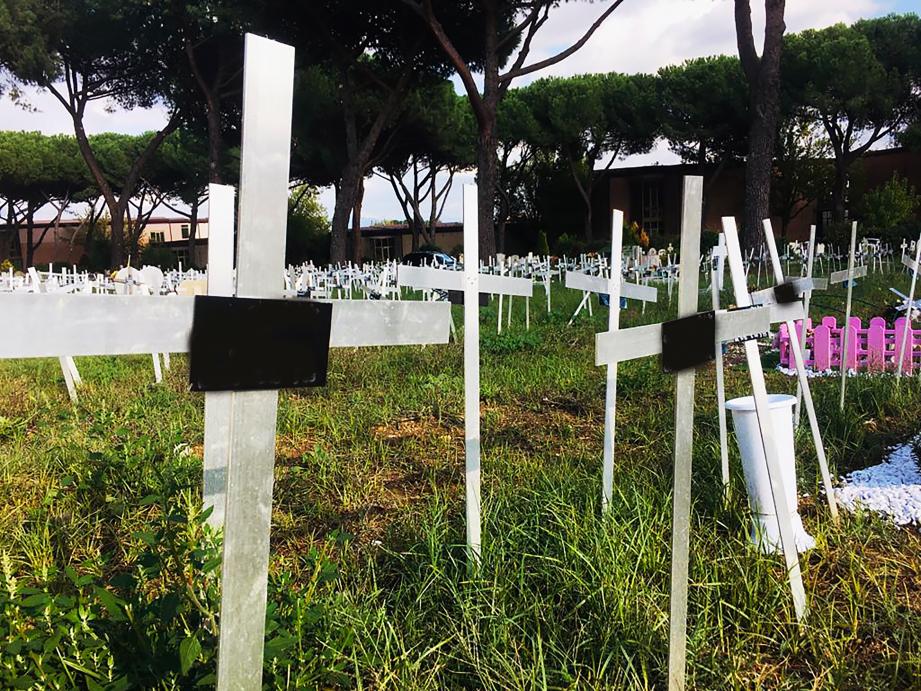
[[765, 531]]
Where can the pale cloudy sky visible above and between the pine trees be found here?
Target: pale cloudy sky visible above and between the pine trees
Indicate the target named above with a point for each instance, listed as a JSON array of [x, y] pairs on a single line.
[[640, 36]]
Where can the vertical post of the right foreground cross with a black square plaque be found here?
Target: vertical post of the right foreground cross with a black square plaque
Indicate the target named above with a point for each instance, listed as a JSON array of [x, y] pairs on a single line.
[[691, 213]]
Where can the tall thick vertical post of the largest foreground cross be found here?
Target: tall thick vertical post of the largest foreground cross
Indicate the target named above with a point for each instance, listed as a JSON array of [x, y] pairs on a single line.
[[268, 83]]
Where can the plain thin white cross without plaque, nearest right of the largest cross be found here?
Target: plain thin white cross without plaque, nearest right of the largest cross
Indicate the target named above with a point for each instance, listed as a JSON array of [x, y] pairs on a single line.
[[472, 282]]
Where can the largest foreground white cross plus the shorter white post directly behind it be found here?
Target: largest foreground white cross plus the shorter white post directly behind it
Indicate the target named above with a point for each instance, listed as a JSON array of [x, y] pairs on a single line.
[[240, 426]]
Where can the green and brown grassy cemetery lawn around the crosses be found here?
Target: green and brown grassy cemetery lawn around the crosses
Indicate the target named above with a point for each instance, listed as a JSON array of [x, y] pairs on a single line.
[[110, 580]]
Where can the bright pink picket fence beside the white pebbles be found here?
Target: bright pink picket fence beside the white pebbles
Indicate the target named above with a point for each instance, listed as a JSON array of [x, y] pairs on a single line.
[[875, 348]]
